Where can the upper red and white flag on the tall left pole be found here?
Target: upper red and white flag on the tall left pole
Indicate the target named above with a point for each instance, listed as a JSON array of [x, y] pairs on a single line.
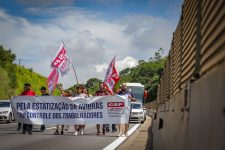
[[62, 61]]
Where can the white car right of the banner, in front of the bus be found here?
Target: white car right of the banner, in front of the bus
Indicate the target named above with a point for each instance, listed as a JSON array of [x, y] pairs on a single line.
[[137, 112]]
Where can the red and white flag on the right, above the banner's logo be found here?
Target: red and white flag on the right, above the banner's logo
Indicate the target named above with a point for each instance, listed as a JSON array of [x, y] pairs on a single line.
[[111, 77]]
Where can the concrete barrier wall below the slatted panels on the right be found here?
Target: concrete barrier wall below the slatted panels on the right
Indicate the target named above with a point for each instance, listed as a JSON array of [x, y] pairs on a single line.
[[193, 119]]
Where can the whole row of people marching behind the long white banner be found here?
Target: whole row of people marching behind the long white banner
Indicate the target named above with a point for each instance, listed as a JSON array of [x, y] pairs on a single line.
[[81, 91]]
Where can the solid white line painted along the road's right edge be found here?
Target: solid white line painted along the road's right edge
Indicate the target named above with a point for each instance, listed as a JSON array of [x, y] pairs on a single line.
[[120, 140]]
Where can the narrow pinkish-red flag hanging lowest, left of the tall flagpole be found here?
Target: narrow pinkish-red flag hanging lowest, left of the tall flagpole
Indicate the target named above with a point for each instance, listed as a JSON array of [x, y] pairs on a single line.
[[53, 80]]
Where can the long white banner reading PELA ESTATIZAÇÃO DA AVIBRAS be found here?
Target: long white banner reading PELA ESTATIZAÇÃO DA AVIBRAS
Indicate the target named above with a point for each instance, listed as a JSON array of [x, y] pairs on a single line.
[[56, 110]]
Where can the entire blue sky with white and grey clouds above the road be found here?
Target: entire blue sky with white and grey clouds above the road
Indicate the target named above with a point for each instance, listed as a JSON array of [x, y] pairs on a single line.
[[94, 32]]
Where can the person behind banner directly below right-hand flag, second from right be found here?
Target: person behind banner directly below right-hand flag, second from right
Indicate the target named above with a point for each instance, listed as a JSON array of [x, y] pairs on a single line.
[[101, 92]]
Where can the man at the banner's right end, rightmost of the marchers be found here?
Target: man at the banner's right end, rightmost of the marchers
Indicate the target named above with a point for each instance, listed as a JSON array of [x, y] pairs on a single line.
[[124, 91]]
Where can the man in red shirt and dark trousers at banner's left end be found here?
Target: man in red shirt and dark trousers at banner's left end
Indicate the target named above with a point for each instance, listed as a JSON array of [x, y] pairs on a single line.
[[27, 92]]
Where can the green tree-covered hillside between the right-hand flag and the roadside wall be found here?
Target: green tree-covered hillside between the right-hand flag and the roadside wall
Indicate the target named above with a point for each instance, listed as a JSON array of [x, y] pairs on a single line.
[[147, 73]]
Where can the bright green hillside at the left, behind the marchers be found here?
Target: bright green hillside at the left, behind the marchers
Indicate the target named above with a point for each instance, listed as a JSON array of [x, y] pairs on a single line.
[[13, 77]]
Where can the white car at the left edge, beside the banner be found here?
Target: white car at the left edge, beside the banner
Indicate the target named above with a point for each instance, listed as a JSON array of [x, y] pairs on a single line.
[[6, 113]]
